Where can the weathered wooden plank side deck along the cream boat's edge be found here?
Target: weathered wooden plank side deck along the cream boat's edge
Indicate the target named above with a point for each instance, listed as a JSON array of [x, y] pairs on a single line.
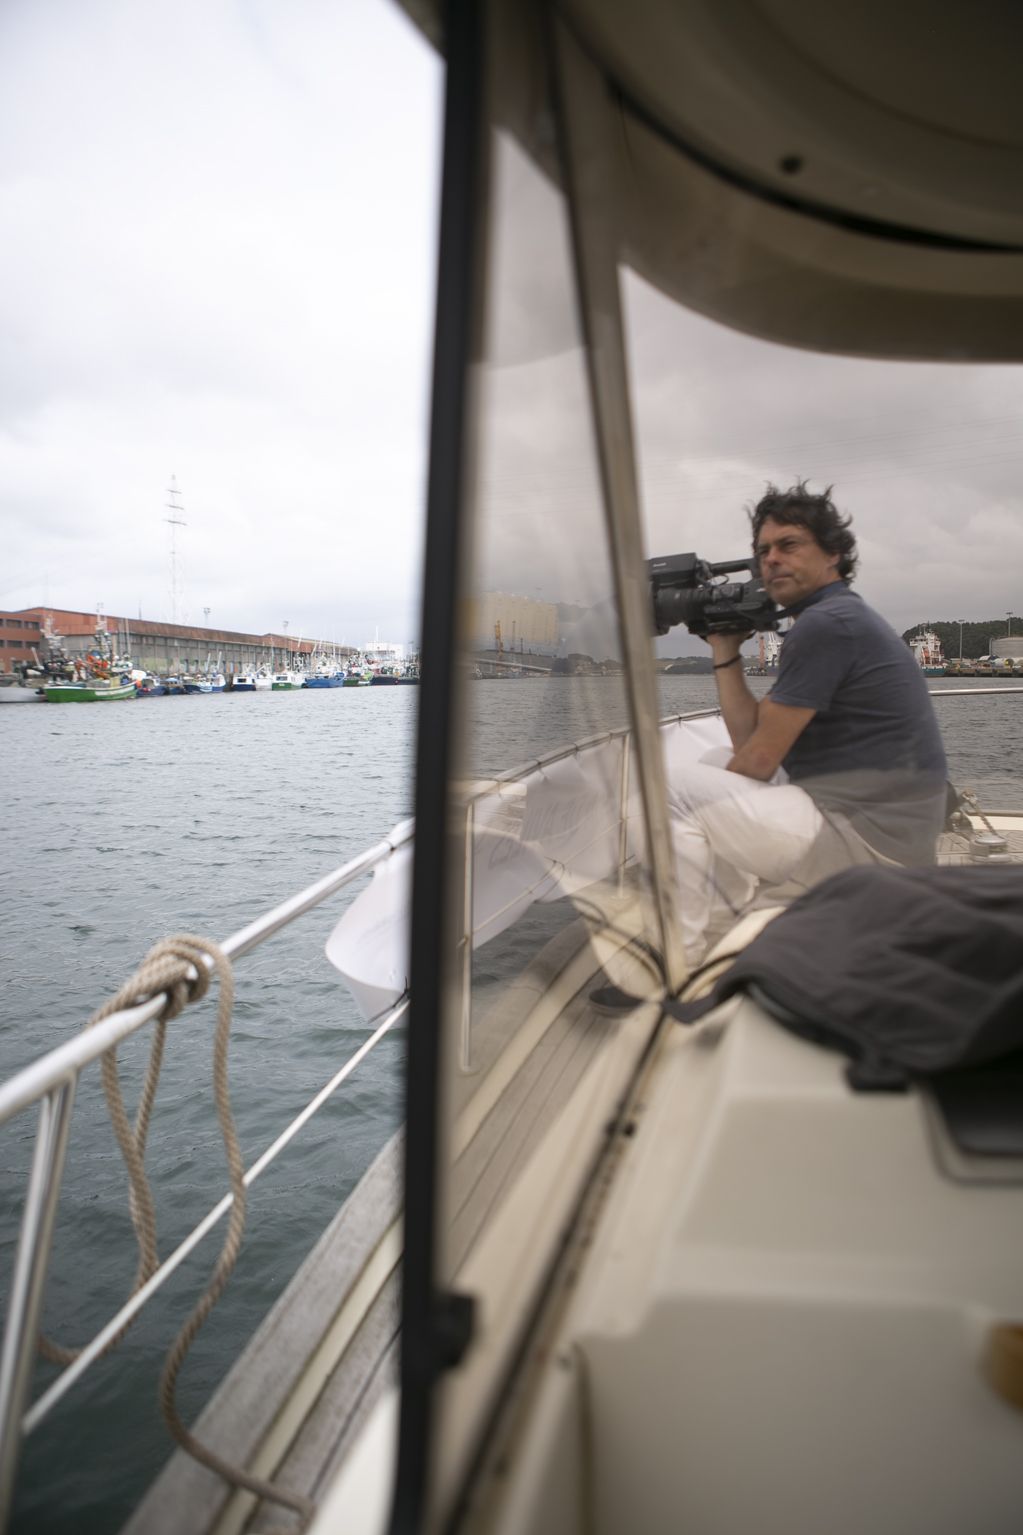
[[329, 1348]]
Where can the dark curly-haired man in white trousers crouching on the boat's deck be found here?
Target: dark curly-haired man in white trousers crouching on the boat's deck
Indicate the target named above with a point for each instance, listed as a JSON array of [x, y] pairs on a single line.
[[841, 764]]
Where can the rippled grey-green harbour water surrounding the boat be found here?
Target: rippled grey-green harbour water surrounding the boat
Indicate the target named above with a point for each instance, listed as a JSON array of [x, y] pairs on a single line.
[[197, 814]]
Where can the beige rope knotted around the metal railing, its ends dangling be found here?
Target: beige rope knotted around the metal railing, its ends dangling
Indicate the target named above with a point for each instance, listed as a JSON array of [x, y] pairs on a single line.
[[177, 968]]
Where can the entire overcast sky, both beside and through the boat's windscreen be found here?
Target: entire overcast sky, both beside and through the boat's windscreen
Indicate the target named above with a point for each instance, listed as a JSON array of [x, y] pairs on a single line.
[[219, 234]]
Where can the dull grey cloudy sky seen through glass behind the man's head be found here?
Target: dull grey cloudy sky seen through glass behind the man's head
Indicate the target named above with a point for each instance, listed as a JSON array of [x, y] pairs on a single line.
[[925, 457]]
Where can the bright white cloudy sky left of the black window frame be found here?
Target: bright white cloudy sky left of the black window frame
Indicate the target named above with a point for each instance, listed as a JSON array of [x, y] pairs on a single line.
[[219, 263]]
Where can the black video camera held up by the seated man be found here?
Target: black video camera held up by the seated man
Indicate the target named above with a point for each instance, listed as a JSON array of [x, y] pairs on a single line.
[[684, 592]]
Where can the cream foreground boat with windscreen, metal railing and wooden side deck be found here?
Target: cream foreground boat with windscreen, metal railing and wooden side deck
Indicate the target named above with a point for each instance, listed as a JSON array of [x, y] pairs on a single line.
[[620, 1273]]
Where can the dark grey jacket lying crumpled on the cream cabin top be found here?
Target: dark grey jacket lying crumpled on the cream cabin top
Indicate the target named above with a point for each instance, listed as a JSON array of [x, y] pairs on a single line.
[[909, 971]]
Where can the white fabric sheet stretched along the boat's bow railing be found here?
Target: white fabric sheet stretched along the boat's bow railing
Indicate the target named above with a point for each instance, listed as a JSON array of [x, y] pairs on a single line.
[[538, 839]]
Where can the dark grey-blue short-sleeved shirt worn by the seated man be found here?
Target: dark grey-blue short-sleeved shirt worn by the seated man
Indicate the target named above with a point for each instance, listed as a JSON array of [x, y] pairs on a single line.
[[873, 750]]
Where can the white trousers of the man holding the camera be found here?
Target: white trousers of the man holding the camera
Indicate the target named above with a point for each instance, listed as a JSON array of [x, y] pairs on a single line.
[[732, 834]]
